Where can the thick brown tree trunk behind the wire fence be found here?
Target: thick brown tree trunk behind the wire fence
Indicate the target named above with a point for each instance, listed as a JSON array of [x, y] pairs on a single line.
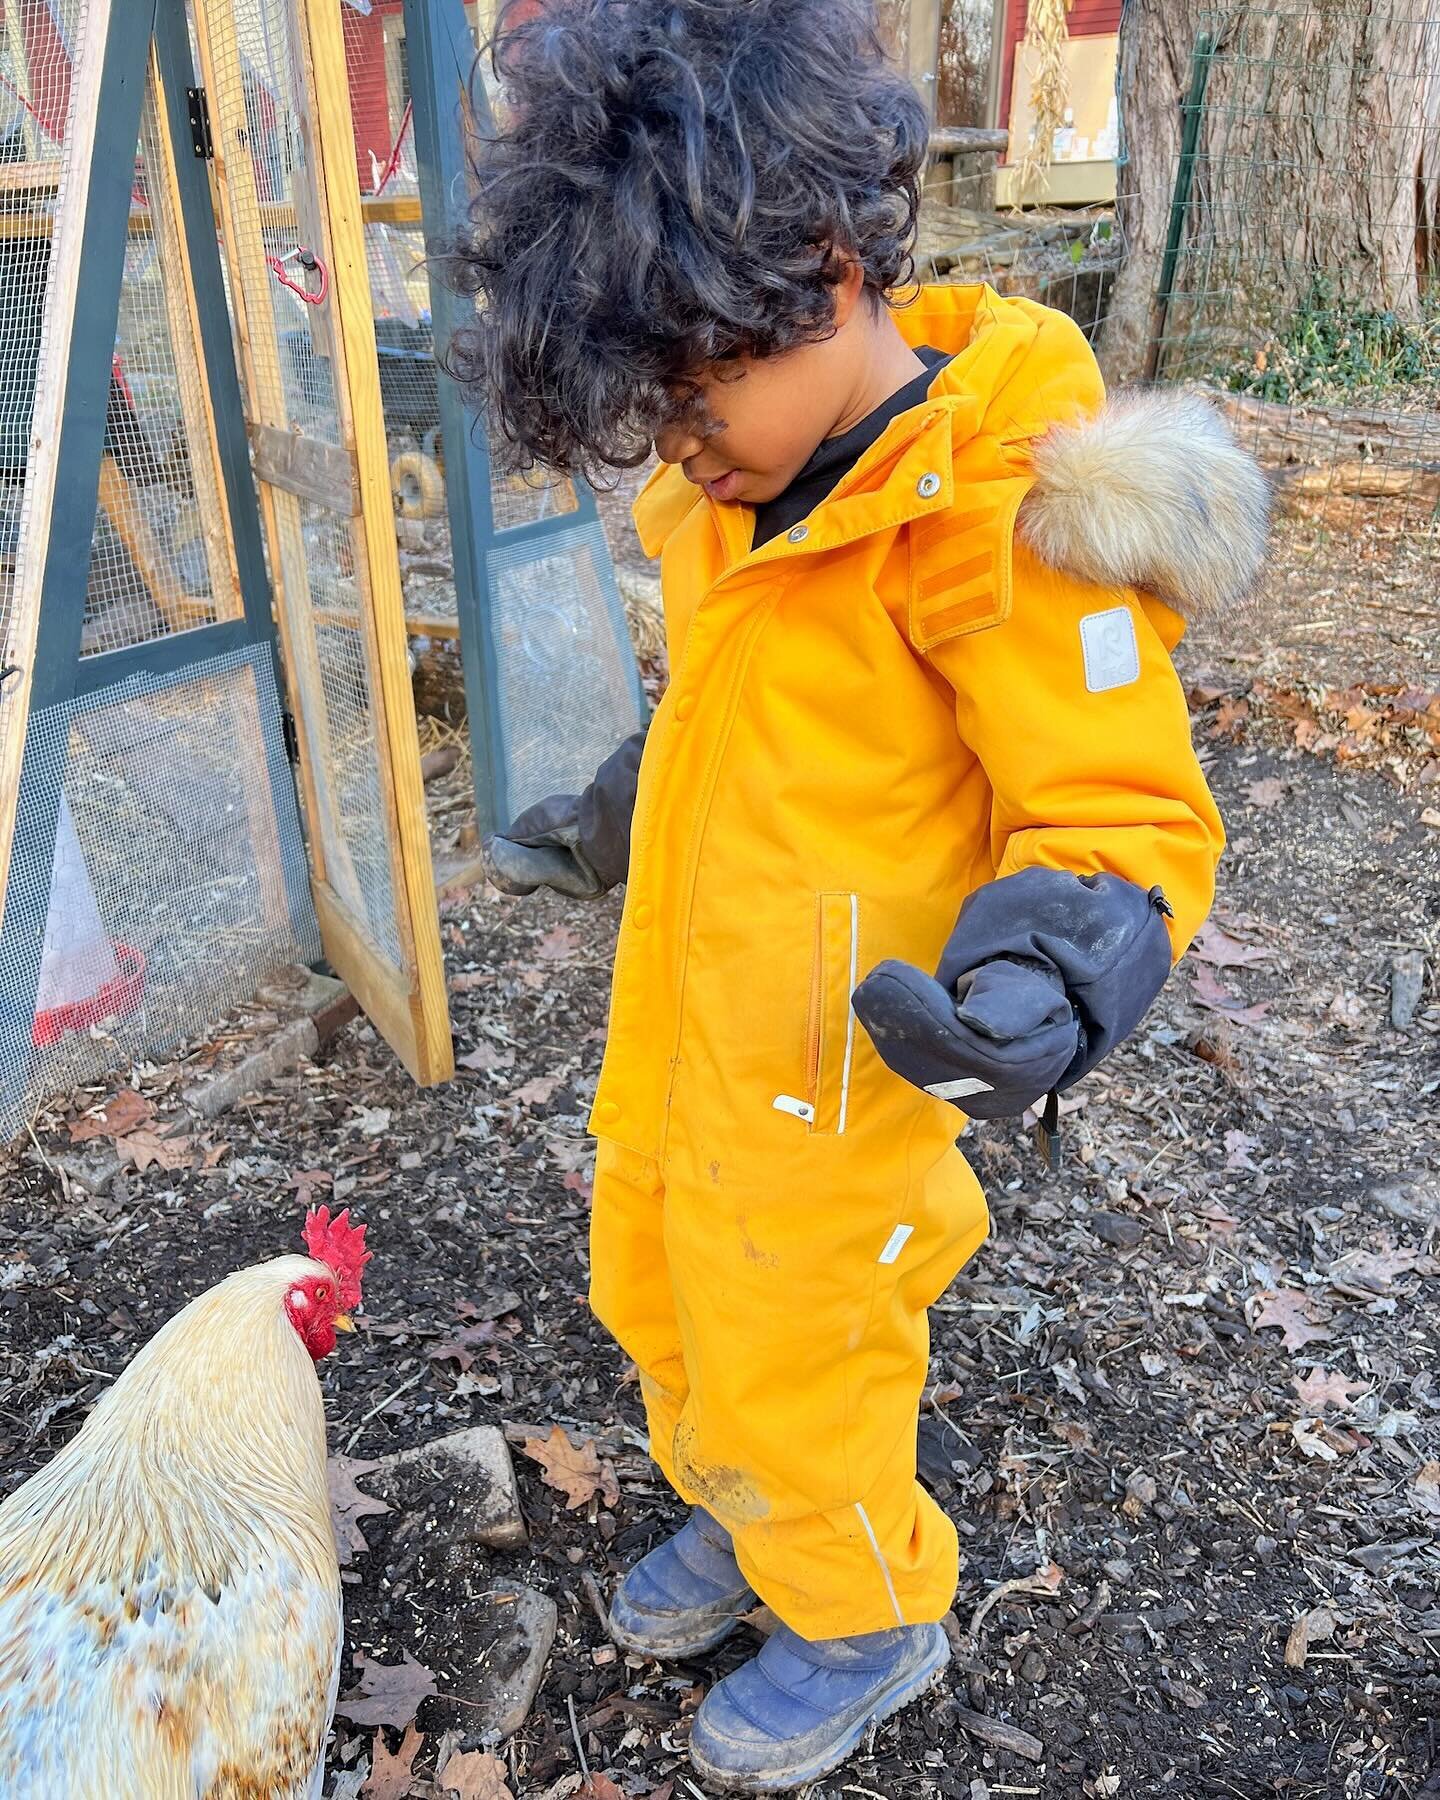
[[1313, 183]]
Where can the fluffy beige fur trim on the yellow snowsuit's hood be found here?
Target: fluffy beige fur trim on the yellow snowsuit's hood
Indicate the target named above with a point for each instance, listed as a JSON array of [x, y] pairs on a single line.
[[1153, 494]]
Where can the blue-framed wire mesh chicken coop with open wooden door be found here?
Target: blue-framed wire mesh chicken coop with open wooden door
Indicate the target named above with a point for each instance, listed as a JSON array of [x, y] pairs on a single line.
[[235, 492]]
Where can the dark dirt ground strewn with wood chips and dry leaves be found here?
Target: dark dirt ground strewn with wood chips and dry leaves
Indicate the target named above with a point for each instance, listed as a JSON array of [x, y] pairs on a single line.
[[1183, 1407]]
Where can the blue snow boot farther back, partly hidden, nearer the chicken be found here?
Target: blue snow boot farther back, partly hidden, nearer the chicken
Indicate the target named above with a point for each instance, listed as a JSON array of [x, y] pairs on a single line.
[[685, 1597]]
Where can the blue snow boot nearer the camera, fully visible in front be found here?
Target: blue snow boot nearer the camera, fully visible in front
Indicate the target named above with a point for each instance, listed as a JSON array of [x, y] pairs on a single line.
[[795, 1713]]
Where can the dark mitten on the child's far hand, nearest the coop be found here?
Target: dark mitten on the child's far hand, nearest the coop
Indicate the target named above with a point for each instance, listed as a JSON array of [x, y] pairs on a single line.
[[575, 843]]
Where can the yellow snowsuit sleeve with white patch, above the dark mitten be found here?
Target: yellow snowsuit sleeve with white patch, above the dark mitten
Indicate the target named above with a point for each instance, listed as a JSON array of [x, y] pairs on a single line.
[[1079, 721]]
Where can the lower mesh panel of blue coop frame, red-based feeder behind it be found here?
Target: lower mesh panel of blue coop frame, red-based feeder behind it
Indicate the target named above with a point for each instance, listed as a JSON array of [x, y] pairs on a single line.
[[177, 879]]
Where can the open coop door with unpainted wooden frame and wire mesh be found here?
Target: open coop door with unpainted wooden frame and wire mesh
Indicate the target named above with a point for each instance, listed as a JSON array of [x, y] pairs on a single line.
[[274, 76]]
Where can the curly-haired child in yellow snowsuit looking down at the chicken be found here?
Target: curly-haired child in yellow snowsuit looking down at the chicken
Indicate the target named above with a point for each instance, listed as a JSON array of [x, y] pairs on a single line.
[[915, 825]]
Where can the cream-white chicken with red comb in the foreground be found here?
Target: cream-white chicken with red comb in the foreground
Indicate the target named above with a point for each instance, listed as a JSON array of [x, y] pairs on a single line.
[[170, 1592]]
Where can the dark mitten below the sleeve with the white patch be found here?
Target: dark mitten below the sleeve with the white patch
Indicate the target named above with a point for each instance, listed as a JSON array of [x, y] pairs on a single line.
[[1045, 973]]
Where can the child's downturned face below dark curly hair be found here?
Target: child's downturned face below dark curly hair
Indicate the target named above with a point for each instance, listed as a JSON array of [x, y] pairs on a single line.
[[760, 420]]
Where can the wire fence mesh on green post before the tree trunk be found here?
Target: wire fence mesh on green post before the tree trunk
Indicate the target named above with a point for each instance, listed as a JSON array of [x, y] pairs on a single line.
[[1304, 273]]
